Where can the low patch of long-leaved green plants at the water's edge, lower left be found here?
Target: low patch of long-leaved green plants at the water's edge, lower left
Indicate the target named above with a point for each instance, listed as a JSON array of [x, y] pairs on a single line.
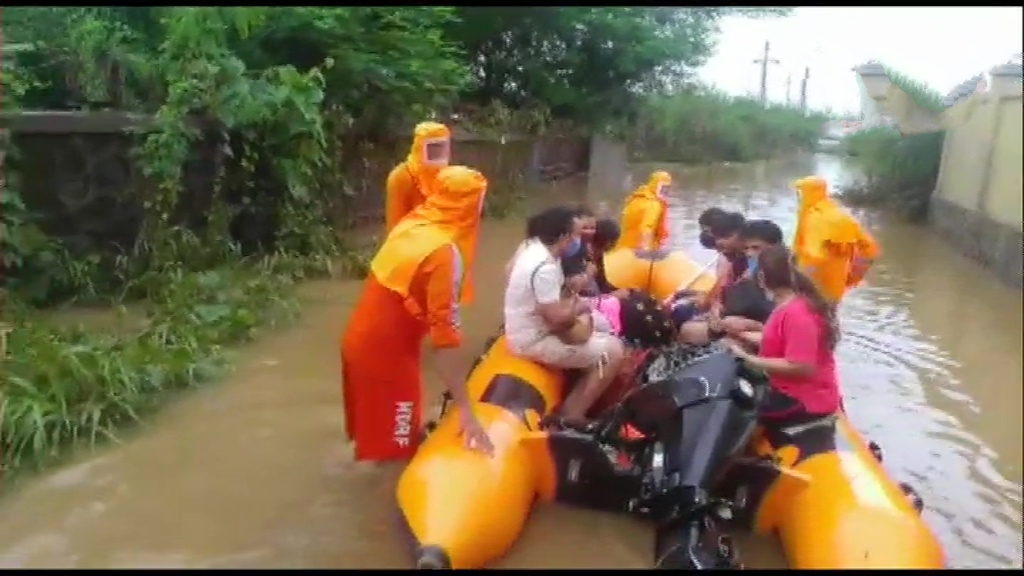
[[63, 386]]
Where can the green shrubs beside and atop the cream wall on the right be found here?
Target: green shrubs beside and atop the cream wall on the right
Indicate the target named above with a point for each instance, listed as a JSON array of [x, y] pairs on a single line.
[[901, 173]]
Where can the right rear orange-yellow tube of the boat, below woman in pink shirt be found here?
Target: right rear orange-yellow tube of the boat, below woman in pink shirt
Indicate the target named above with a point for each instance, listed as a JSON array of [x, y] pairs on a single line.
[[835, 507]]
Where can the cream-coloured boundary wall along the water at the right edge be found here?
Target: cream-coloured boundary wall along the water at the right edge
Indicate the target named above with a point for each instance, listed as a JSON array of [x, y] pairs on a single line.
[[977, 204]]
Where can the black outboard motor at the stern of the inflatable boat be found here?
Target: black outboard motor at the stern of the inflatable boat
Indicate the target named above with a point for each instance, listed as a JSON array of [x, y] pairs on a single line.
[[696, 408]]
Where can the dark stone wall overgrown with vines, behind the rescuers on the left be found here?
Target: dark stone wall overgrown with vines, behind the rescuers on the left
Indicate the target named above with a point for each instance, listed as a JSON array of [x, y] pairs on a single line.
[[78, 172]]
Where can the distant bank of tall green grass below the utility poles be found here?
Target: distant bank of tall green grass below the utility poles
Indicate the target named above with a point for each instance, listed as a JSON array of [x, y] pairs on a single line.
[[710, 127]]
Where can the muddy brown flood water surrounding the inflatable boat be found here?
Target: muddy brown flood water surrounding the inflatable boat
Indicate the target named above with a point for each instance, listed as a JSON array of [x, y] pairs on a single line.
[[252, 473]]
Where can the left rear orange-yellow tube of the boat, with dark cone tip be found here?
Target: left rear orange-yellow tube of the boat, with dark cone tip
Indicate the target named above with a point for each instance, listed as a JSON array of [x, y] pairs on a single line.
[[463, 509]]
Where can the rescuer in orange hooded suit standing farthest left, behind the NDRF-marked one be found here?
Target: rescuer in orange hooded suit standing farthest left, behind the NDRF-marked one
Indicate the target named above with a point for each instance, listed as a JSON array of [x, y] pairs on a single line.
[[410, 182]]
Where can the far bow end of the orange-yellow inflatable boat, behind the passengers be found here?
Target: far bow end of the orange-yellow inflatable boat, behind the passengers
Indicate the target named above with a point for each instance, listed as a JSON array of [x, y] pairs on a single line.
[[662, 273]]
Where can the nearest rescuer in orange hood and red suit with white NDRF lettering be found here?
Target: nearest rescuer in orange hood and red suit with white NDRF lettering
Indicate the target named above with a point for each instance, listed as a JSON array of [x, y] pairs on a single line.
[[414, 291]]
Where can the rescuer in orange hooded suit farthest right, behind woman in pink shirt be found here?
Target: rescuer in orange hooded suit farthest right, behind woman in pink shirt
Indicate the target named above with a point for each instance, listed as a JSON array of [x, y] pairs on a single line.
[[831, 245]]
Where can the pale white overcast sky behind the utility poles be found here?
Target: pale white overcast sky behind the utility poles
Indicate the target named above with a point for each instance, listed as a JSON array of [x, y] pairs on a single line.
[[940, 47]]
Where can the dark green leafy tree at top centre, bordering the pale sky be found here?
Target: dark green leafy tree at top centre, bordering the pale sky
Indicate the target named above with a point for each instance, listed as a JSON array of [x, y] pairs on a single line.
[[584, 64]]
